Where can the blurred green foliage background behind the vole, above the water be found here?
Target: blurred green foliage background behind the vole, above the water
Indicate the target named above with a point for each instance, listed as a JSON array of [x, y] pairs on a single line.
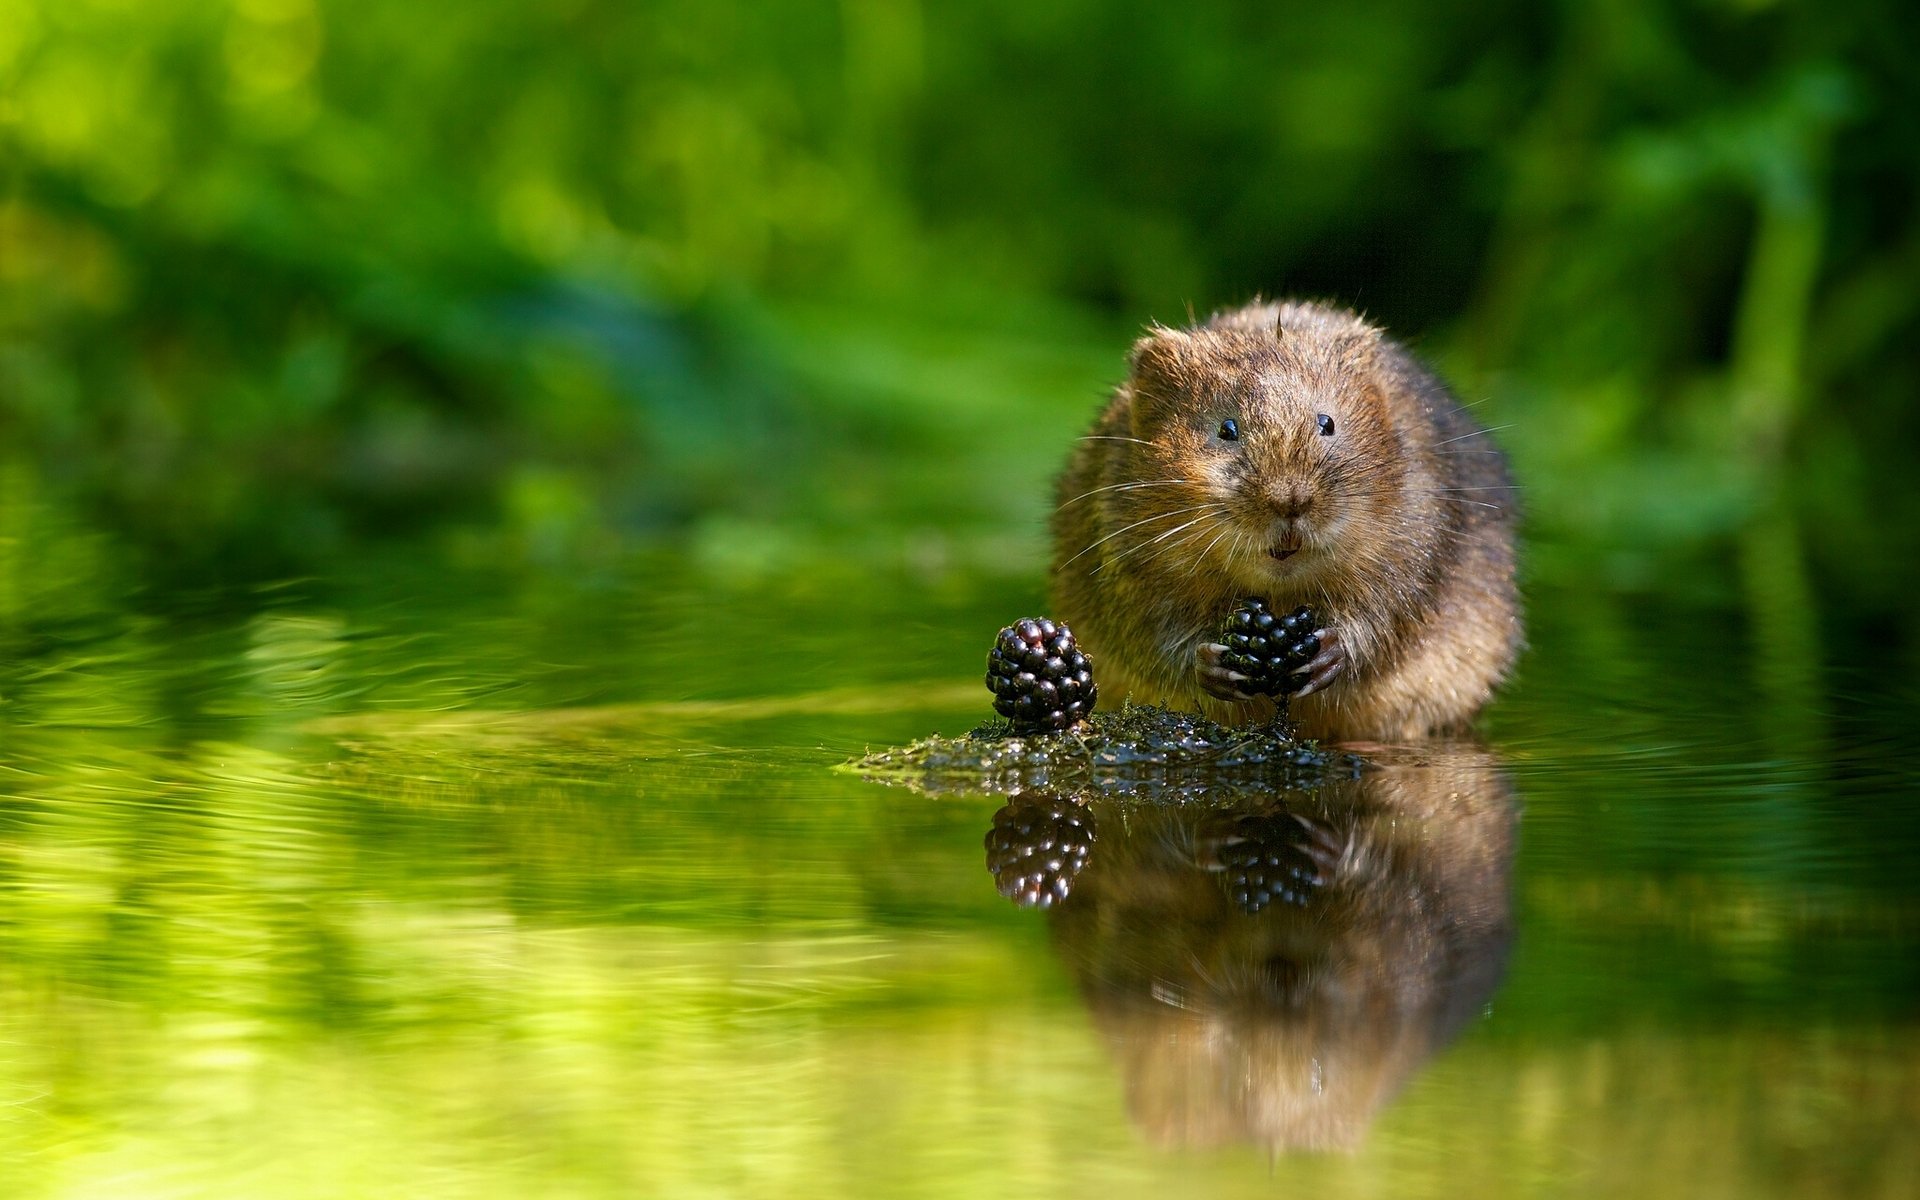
[[802, 279]]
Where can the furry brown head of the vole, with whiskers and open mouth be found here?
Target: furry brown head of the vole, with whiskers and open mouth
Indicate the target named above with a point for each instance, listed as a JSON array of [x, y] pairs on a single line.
[[1280, 433]]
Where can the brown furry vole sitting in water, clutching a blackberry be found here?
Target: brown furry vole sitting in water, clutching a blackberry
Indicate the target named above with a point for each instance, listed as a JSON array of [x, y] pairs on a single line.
[[1291, 452]]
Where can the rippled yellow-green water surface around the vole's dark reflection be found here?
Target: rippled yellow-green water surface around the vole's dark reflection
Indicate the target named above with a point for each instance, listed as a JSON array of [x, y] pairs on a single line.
[[471, 886]]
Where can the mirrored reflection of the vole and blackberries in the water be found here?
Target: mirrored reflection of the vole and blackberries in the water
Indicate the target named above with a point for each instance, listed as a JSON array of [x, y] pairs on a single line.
[[1276, 967]]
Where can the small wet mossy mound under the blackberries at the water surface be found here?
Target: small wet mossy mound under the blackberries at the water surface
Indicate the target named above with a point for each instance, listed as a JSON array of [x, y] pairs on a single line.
[[1143, 752]]
